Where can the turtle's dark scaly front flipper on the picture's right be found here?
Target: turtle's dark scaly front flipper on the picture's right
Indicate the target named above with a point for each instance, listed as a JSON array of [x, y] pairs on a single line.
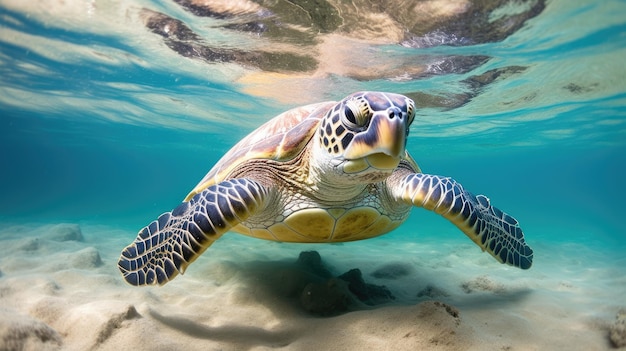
[[490, 228]]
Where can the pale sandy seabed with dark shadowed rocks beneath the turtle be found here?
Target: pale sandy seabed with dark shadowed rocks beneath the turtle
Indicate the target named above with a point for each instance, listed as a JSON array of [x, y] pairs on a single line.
[[60, 290]]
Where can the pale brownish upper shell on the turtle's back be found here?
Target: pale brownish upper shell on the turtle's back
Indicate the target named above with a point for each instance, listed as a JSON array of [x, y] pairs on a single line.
[[279, 139]]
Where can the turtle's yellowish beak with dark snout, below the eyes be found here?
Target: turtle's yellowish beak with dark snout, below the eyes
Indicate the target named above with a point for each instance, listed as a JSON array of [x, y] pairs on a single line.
[[385, 135]]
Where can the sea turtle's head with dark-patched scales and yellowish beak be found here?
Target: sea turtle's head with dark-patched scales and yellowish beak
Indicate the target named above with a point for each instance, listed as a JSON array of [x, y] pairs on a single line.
[[367, 131]]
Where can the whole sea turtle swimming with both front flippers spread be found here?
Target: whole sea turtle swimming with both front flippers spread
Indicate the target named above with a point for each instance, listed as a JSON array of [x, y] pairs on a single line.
[[326, 172]]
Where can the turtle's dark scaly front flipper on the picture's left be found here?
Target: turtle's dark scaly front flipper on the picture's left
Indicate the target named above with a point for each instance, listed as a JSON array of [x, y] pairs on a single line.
[[169, 244]]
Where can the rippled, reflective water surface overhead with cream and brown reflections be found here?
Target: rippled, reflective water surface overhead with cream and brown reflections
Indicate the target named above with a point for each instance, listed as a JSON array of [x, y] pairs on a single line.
[[211, 57]]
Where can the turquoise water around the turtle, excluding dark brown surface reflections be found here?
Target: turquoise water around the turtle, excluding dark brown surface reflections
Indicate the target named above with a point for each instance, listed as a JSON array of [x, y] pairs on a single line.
[[101, 123]]
